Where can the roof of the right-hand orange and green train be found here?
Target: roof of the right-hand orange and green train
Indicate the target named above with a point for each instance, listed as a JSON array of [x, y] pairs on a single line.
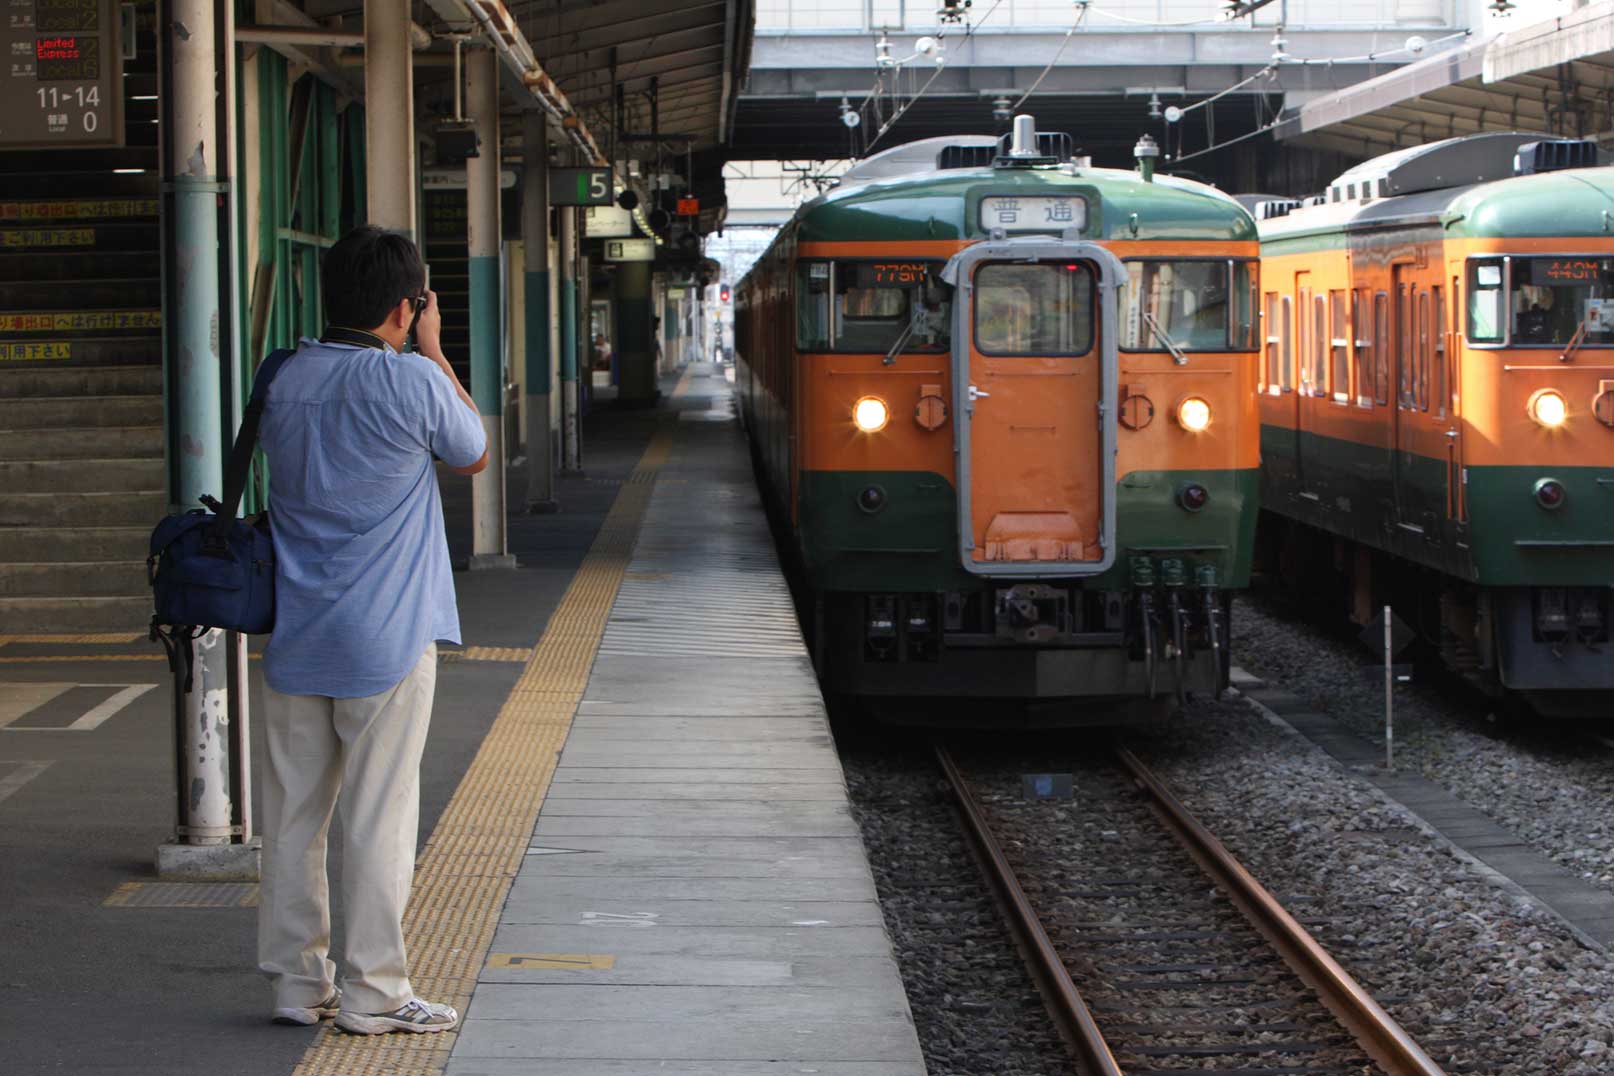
[[1465, 186]]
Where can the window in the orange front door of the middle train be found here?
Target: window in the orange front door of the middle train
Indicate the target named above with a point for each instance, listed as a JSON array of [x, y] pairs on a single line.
[[1042, 309]]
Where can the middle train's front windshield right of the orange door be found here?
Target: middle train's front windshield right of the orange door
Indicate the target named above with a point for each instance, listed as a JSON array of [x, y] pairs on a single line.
[[1200, 304]]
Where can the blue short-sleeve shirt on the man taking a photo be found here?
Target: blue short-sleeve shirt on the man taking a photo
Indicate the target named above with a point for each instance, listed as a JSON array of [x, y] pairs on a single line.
[[362, 564]]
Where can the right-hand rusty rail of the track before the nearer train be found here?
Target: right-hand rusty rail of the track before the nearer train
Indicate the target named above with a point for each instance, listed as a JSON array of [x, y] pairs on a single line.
[[1374, 1030]]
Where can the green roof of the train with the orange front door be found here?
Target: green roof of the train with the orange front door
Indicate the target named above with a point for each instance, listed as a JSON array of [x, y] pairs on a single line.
[[939, 202]]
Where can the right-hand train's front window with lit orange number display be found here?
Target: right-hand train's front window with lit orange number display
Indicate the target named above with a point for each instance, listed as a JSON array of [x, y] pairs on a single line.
[[1557, 301]]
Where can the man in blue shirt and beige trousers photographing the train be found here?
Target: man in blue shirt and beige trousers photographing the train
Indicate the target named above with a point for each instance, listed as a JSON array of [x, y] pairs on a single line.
[[364, 593]]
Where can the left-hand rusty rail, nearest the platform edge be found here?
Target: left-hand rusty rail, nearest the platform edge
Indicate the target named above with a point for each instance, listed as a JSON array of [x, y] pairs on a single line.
[[1053, 978]]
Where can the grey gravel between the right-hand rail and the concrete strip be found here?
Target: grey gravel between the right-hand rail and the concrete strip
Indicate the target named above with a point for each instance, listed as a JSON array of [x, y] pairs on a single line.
[[1486, 982]]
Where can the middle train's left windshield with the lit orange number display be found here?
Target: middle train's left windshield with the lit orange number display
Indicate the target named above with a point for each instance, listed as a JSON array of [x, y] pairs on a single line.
[[872, 306]]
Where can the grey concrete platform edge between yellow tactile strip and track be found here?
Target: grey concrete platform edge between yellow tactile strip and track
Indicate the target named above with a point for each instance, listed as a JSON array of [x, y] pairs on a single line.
[[696, 851]]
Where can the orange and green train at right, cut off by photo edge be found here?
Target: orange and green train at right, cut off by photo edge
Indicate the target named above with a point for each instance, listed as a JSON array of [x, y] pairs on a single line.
[[1437, 406]]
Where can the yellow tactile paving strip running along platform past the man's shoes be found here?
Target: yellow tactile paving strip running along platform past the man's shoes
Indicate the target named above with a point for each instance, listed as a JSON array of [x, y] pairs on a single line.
[[477, 848]]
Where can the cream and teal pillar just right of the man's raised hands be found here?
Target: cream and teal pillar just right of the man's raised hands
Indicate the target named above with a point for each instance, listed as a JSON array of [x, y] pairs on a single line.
[[483, 241]]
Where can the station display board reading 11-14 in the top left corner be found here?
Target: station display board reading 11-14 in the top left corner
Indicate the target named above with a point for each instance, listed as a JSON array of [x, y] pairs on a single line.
[[62, 83]]
